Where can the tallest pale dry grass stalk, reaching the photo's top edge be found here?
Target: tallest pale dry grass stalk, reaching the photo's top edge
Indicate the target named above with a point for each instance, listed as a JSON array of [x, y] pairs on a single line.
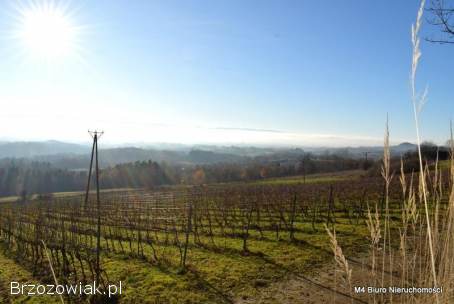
[[418, 102]]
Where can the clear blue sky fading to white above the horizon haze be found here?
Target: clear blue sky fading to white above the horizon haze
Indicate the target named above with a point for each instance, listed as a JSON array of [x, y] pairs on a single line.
[[293, 72]]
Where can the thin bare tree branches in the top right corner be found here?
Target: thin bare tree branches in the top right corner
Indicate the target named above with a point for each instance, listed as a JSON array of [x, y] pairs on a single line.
[[441, 13]]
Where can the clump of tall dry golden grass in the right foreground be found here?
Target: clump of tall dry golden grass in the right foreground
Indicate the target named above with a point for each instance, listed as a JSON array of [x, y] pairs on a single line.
[[425, 229]]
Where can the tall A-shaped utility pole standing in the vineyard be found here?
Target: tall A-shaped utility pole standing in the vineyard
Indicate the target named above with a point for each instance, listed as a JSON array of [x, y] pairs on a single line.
[[94, 151]]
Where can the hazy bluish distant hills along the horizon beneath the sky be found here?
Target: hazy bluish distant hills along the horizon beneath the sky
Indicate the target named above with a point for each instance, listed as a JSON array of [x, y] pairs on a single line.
[[77, 157]]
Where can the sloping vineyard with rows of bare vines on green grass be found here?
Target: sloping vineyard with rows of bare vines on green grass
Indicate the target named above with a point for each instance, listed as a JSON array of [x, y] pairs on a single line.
[[218, 243]]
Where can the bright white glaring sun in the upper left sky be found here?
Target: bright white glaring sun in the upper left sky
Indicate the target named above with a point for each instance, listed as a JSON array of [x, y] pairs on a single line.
[[46, 30]]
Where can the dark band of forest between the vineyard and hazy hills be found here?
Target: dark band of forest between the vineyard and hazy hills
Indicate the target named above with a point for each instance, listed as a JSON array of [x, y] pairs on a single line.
[[22, 177]]
